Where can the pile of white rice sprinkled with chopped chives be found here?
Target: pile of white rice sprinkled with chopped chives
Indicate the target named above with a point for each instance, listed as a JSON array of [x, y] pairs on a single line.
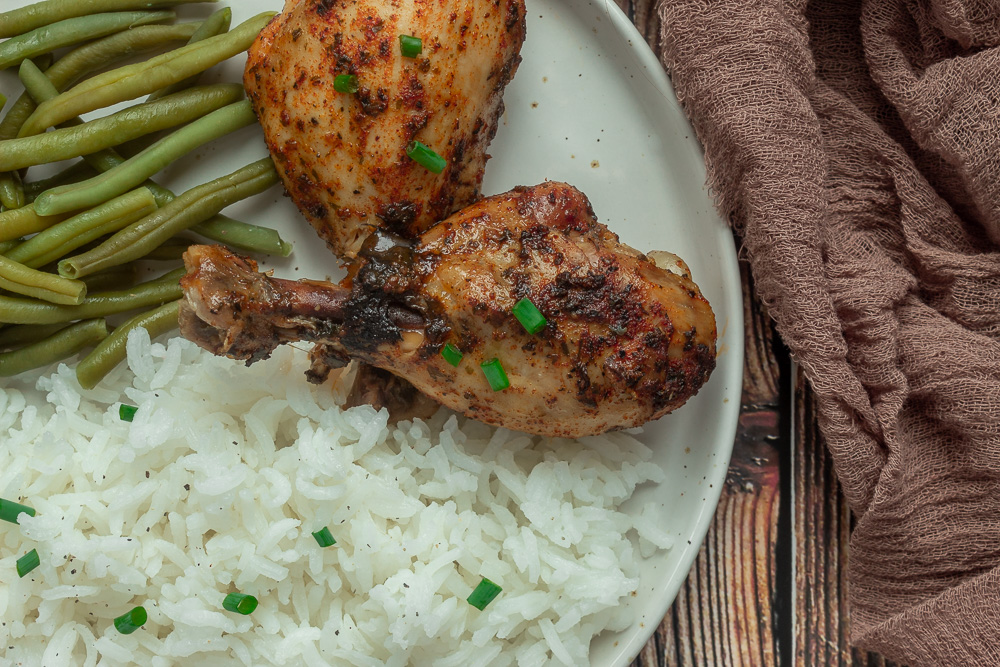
[[224, 474]]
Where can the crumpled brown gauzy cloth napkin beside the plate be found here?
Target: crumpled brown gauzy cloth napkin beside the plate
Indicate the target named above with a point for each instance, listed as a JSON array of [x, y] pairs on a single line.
[[857, 147]]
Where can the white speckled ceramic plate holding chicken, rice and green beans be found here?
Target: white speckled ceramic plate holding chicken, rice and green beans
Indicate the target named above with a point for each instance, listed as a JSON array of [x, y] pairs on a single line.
[[591, 106]]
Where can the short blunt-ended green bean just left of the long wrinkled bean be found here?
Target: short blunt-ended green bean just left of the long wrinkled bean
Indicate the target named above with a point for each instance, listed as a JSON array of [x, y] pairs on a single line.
[[61, 239]]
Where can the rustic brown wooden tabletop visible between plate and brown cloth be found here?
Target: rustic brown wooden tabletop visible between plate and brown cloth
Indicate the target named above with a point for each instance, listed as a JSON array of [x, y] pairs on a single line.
[[769, 586]]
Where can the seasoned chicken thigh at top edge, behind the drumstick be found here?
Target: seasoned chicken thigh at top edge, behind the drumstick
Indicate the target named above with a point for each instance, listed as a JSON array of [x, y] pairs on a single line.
[[342, 156]]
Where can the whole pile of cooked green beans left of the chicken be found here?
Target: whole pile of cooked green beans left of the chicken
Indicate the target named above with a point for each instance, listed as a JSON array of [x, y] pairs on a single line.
[[71, 244]]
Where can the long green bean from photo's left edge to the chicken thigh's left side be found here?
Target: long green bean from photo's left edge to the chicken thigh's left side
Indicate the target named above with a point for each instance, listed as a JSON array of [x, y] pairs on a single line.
[[65, 143]]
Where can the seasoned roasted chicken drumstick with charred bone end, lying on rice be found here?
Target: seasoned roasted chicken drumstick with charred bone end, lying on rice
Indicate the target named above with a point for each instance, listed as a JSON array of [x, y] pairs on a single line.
[[625, 341]]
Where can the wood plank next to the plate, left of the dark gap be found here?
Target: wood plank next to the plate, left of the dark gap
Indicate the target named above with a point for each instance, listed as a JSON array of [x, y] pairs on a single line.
[[724, 613]]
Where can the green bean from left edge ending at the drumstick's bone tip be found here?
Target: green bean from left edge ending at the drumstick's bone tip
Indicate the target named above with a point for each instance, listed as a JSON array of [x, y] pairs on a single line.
[[16, 310]]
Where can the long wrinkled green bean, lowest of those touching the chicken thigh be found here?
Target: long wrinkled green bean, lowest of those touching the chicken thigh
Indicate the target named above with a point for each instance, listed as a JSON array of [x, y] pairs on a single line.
[[192, 207]]
